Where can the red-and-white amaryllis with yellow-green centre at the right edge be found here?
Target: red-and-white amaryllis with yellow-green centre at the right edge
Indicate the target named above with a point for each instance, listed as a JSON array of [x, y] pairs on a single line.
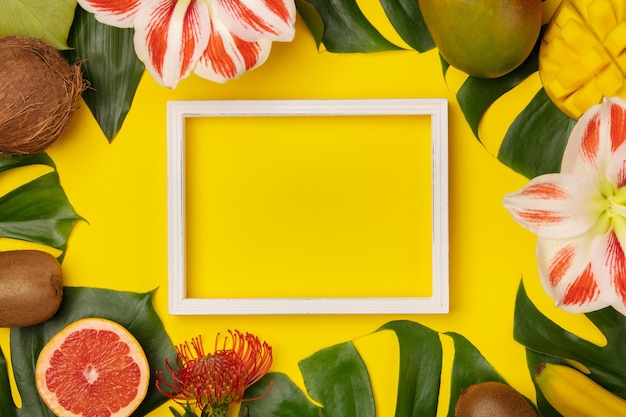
[[579, 214]]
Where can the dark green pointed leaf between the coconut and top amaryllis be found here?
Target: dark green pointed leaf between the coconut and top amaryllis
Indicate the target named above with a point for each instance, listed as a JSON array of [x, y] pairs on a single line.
[[110, 65]]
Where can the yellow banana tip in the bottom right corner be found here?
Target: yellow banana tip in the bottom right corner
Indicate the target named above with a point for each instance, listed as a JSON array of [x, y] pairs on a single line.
[[573, 394]]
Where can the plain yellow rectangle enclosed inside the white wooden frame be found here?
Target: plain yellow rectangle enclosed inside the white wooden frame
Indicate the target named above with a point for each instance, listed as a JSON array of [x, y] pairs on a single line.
[[321, 206]]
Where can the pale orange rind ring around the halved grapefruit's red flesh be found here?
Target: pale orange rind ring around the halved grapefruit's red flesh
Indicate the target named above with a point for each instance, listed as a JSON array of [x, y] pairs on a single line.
[[135, 352]]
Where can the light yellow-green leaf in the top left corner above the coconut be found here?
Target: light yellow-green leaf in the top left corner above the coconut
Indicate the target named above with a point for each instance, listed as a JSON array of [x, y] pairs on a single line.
[[43, 19]]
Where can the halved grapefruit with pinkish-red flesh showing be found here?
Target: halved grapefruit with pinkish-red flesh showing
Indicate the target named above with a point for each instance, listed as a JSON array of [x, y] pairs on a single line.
[[92, 368]]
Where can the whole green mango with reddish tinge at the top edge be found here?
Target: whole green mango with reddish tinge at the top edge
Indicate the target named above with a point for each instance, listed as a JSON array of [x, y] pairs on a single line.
[[484, 38]]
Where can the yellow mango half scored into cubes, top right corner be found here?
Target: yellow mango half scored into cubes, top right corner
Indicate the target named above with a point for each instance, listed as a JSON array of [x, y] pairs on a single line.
[[582, 58]]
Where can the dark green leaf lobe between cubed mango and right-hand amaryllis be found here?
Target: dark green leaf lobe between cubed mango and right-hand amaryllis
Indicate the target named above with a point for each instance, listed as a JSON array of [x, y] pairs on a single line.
[[535, 141]]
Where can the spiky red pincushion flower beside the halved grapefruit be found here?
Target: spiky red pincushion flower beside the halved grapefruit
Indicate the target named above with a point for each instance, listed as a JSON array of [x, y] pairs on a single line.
[[214, 381]]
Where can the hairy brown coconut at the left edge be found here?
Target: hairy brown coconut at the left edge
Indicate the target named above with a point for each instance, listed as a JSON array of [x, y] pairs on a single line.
[[39, 92]]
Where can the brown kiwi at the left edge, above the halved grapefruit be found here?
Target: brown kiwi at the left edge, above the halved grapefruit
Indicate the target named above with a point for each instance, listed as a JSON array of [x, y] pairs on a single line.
[[31, 287]]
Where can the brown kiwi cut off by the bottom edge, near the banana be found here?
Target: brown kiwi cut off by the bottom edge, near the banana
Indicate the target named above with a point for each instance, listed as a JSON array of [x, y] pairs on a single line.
[[492, 399]]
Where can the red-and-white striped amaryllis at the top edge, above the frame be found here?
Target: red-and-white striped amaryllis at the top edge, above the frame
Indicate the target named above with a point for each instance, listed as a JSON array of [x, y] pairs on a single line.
[[217, 39]]
